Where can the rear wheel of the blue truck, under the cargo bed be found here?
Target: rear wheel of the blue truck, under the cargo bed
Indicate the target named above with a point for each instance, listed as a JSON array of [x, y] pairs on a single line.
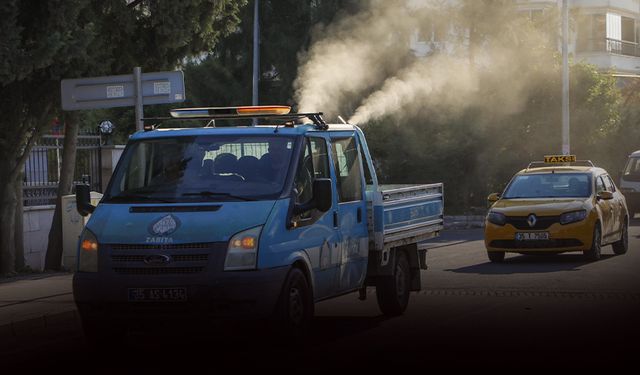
[[392, 292]]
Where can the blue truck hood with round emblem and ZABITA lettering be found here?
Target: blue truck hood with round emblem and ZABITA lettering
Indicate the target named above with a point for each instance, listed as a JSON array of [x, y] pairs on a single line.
[[179, 223]]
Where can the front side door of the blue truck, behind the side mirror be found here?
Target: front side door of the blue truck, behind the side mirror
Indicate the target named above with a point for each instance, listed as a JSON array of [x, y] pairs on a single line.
[[314, 230]]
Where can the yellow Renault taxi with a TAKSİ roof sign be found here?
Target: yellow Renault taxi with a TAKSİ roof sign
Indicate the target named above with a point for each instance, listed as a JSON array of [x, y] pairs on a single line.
[[555, 206]]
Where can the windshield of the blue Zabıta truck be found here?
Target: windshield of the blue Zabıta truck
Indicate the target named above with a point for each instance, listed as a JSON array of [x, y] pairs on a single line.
[[202, 168]]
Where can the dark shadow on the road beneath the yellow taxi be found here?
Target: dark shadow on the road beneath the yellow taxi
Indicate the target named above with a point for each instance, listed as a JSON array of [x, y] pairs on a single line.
[[544, 263]]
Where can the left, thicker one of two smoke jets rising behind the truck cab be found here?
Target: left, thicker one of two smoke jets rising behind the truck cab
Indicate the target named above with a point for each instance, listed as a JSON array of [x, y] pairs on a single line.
[[354, 55]]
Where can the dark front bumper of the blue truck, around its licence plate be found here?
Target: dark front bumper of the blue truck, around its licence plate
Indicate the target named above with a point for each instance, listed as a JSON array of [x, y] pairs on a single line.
[[225, 295]]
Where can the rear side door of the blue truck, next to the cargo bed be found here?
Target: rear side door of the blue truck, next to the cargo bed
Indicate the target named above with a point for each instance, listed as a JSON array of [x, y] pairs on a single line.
[[351, 212]]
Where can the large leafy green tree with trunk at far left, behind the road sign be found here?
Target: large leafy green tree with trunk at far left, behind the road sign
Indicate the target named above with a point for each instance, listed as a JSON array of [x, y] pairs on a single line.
[[42, 44]]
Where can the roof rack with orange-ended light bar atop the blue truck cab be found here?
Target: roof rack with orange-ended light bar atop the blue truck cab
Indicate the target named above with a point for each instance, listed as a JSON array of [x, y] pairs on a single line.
[[237, 113]]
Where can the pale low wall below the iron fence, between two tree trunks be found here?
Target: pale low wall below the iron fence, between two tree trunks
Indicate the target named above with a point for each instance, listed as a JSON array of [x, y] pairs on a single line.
[[36, 226]]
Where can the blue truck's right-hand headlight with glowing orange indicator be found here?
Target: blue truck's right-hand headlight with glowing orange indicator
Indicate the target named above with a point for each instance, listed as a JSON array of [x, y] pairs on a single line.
[[243, 250]]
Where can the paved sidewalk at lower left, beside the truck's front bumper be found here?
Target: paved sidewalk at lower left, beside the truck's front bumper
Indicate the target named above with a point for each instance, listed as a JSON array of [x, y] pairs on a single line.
[[35, 303]]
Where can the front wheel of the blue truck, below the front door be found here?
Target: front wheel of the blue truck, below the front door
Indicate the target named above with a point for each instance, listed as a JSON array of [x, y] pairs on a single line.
[[295, 307]]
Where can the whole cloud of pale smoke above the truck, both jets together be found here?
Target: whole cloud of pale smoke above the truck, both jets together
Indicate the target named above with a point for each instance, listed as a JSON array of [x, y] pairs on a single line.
[[356, 62]]
